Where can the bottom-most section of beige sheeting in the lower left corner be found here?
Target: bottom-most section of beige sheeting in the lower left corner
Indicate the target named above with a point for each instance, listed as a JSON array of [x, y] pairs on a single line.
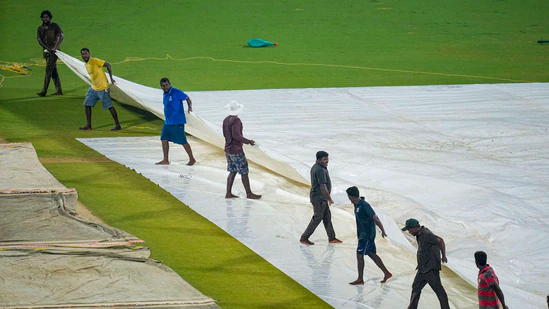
[[69, 278]]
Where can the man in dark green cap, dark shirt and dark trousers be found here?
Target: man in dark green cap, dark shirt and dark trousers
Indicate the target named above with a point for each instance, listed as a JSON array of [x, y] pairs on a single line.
[[429, 249]]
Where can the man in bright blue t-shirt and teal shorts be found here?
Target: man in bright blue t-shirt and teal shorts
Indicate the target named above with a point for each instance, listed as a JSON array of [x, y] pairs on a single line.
[[174, 125]]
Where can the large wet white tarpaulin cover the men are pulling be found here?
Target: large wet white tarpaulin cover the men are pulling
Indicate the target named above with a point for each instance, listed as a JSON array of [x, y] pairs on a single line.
[[469, 162]]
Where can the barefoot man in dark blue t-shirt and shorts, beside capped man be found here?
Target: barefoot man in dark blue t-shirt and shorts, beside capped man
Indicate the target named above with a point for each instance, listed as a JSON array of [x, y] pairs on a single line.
[[366, 221]]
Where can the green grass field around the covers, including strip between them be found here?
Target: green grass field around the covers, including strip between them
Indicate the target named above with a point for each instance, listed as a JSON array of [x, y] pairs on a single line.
[[322, 44]]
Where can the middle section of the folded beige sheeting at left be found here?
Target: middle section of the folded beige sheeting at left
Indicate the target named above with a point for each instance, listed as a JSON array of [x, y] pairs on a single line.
[[40, 219]]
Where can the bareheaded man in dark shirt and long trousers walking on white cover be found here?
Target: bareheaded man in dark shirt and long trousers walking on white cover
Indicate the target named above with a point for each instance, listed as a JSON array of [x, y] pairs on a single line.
[[321, 187]]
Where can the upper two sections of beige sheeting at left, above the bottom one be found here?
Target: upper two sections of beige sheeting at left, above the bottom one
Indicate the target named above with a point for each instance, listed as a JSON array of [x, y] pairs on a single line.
[[37, 210]]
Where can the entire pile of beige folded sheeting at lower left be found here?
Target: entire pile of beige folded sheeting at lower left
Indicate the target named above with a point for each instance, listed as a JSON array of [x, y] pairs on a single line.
[[50, 257]]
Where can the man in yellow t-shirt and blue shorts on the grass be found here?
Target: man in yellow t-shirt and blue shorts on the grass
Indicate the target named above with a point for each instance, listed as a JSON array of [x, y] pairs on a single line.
[[99, 89]]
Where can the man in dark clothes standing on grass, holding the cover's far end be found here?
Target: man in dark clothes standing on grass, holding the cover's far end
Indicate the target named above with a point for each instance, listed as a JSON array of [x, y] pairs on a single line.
[[50, 36]]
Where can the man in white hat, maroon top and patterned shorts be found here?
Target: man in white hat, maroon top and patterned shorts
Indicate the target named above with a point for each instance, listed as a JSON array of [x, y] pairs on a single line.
[[234, 152]]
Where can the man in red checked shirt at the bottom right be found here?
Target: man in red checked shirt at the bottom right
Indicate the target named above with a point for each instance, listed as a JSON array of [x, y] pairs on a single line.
[[489, 293]]
